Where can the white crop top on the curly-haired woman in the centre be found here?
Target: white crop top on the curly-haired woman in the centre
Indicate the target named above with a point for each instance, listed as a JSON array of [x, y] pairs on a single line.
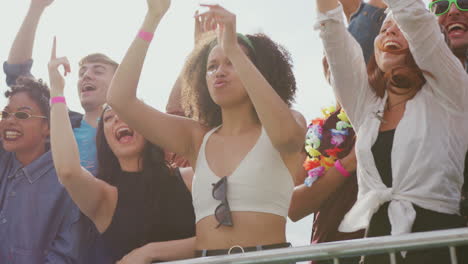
[[260, 183]]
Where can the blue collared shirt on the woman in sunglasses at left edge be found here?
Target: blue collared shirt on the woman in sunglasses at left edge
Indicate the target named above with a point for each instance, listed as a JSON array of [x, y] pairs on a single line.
[[39, 223]]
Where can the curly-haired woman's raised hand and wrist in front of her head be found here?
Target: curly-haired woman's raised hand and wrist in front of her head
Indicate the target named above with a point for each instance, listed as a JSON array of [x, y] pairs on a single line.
[[225, 23]]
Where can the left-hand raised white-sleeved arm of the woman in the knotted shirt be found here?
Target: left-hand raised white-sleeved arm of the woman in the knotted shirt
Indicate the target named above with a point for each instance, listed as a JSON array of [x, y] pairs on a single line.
[[346, 61]]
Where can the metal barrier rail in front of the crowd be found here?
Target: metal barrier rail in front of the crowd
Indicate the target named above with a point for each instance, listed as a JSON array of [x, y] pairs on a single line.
[[359, 247]]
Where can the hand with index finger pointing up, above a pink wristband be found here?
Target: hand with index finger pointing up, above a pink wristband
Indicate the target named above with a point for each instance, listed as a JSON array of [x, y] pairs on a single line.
[[57, 81]]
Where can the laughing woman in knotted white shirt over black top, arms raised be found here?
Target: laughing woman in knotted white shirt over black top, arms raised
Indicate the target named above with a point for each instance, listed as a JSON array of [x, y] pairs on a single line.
[[408, 109]]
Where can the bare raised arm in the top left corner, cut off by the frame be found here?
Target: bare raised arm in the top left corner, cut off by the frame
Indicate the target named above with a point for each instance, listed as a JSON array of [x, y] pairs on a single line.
[[22, 48]]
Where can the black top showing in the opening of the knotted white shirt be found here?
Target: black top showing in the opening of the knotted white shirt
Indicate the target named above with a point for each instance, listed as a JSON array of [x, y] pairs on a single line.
[[382, 152]]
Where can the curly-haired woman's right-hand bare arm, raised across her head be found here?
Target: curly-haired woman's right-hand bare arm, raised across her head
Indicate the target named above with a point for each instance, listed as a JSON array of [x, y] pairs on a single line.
[[285, 128]]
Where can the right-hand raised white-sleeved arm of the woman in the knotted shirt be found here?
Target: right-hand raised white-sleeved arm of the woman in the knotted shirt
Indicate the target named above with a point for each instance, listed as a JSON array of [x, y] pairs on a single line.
[[448, 79]]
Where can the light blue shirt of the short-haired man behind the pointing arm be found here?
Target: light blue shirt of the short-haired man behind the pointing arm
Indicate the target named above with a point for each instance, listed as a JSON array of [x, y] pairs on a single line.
[[85, 136]]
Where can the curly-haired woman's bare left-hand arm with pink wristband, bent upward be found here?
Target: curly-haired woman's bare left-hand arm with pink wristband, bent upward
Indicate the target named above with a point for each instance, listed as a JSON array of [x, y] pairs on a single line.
[[172, 133]]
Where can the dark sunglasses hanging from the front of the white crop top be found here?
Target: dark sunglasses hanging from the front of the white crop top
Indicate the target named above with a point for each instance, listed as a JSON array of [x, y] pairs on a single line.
[[222, 211]]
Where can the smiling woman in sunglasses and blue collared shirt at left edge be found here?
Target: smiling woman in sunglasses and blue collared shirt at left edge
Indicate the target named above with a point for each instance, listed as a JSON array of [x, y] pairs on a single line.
[[39, 222]]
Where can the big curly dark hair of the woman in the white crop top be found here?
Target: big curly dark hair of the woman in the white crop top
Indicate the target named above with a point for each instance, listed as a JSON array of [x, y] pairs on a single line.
[[271, 59]]
